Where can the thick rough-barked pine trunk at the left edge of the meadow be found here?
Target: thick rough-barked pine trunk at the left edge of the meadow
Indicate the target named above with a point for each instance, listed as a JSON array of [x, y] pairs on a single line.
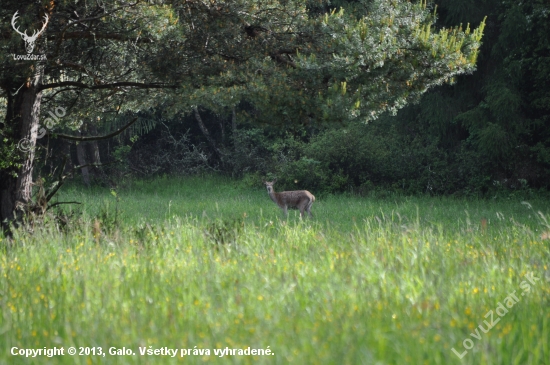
[[21, 129]]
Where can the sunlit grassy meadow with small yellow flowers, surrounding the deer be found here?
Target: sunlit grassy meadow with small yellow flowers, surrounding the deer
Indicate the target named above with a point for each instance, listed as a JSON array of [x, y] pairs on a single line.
[[207, 263]]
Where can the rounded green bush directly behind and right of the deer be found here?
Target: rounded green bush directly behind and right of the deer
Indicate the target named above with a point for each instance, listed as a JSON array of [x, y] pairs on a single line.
[[374, 156]]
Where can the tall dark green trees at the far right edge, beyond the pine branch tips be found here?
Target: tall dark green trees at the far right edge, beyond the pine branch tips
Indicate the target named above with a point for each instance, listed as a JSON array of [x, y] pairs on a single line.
[[505, 127]]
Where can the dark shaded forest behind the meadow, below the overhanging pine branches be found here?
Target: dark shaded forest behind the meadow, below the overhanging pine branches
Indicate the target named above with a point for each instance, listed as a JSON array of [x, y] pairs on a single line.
[[486, 134]]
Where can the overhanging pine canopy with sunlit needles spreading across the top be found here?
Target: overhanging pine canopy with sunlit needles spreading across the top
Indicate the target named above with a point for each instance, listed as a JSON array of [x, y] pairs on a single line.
[[291, 63]]
